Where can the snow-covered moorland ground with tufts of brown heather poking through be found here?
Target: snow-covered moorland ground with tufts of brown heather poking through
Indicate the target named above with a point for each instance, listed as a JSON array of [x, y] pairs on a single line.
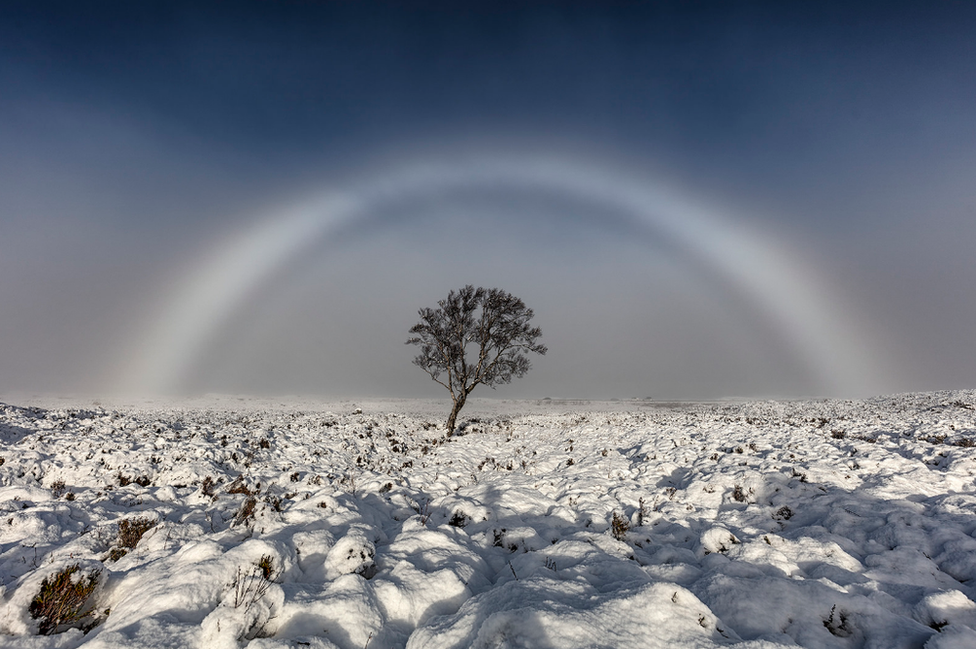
[[274, 524]]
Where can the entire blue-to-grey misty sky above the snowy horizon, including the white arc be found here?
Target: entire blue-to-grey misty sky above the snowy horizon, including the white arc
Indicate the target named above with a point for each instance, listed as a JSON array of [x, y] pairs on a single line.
[[698, 200]]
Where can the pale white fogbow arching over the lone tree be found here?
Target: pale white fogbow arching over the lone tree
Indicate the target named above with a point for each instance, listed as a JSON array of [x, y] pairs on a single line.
[[787, 294]]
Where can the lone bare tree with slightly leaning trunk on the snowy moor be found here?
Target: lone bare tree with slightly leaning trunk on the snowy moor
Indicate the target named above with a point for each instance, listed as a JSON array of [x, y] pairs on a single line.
[[496, 326]]
